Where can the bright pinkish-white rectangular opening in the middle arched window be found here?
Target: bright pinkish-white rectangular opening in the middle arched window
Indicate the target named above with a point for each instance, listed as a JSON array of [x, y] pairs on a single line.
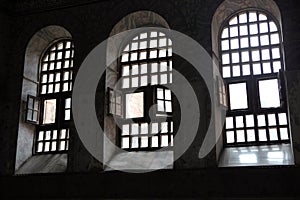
[[135, 105]]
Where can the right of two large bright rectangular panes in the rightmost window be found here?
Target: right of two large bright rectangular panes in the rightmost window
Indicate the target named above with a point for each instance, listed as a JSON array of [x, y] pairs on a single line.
[[269, 93]]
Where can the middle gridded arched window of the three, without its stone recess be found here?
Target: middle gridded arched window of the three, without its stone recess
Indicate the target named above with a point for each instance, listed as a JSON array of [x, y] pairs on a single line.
[[146, 67]]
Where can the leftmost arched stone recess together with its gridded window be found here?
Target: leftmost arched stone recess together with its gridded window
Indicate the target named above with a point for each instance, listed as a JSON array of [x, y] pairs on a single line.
[[39, 80]]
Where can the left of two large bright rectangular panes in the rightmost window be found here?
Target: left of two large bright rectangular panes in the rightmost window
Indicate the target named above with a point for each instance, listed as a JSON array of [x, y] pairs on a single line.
[[238, 96]]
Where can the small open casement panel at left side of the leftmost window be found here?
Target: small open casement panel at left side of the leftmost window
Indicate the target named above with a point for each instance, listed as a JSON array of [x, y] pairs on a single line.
[[32, 110]]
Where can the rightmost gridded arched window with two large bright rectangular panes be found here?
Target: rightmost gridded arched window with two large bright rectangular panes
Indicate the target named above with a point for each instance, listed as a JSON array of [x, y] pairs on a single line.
[[251, 56]]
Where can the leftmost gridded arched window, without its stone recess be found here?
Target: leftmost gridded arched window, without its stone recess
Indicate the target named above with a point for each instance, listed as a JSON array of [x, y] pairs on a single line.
[[54, 94]]
